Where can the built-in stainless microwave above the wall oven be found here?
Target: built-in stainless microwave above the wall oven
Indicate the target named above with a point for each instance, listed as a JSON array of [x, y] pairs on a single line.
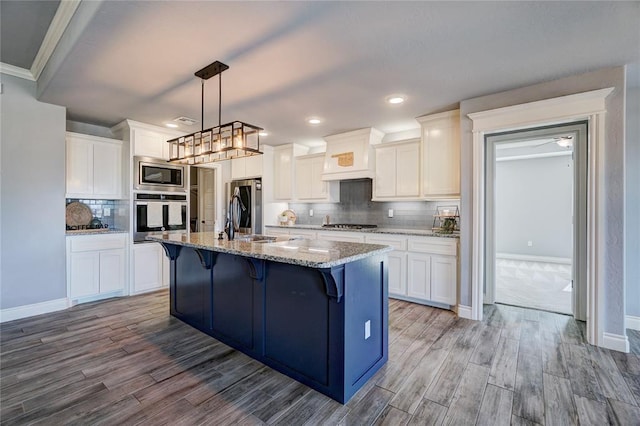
[[152, 174]]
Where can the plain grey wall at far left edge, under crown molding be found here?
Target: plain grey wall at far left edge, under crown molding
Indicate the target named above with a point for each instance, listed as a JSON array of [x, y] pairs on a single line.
[[32, 241]]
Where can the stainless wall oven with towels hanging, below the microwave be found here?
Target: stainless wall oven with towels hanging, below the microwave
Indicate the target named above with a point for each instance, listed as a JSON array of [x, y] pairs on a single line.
[[158, 212]]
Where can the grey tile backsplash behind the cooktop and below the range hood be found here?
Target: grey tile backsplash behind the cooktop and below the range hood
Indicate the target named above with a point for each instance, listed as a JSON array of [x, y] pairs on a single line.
[[355, 206]]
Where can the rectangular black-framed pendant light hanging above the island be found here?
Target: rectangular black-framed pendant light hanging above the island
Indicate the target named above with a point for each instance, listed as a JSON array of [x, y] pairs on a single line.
[[223, 142]]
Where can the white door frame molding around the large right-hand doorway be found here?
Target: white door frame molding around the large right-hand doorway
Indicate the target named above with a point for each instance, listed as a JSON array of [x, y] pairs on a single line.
[[589, 106]]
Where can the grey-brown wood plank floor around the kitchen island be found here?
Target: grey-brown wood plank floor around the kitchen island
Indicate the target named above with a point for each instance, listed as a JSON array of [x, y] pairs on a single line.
[[127, 361]]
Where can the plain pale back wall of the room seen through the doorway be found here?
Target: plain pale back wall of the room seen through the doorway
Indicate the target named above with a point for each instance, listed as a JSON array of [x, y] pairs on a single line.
[[534, 203]]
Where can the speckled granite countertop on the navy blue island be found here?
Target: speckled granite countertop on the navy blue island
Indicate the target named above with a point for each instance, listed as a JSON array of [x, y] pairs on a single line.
[[309, 253]]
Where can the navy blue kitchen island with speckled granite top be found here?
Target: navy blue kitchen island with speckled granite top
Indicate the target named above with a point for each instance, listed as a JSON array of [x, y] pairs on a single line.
[[314, 310]]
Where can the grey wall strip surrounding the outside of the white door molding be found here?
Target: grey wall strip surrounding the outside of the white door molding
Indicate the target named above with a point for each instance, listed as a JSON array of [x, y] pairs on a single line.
[[614, 171]]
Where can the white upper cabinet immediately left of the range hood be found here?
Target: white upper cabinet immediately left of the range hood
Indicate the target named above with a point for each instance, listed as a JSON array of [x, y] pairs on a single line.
[[309, 185]]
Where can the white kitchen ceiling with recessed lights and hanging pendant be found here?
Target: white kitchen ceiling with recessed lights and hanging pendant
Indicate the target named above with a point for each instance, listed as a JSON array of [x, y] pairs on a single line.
[[336, 60]]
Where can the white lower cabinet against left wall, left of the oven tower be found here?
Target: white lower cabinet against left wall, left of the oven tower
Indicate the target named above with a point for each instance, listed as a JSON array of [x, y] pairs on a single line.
[[96, 266]]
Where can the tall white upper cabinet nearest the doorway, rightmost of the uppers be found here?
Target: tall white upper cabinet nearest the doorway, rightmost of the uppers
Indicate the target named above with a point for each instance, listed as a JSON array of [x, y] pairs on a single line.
[[441, 155]]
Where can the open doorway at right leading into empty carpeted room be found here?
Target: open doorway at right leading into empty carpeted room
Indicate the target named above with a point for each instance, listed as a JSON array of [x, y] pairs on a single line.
[[536, 198]]
